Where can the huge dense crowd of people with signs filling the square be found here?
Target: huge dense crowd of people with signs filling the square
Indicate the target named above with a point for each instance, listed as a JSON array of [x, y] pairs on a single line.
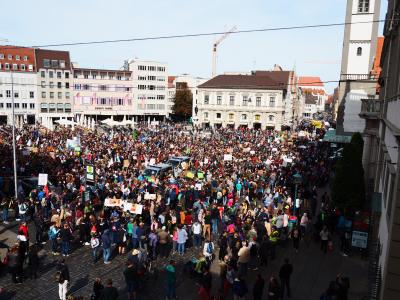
[[237, 197]]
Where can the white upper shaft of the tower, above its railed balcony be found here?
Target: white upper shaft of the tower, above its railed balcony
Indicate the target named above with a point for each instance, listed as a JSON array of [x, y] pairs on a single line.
[[359, 42]]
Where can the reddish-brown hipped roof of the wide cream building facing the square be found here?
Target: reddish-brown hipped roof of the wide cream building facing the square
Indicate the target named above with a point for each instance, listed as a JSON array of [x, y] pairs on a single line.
[[264, 81]]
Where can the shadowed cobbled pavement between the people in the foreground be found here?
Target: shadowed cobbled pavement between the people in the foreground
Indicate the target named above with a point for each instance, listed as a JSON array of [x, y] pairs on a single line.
[[313, 270]]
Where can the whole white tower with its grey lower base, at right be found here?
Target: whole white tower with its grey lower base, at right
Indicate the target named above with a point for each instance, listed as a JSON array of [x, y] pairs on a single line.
[[359, 48]]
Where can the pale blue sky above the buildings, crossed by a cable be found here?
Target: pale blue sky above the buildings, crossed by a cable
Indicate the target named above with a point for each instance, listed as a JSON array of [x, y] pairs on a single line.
[[315, 52]]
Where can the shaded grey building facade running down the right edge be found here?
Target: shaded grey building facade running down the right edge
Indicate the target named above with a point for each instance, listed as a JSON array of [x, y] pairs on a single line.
[[382, 153]]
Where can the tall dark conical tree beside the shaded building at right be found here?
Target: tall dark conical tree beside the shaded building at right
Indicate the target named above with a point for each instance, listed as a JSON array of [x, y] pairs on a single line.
[[348, 190]]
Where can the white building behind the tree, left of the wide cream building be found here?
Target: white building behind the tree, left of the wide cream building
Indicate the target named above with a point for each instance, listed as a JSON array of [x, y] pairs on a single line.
[[182, 81]]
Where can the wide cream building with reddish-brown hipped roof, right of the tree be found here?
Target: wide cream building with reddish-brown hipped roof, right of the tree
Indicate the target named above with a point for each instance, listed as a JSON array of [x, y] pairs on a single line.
[[240, 100]]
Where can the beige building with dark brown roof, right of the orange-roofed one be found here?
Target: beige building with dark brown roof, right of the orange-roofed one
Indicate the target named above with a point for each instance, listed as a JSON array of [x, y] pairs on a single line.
[[54, 78]]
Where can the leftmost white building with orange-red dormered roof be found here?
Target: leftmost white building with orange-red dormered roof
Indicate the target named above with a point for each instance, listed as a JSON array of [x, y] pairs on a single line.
[[18, 81]]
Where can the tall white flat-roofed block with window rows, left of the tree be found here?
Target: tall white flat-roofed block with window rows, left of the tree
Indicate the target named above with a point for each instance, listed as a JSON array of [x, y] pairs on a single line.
[[150, 88]]
